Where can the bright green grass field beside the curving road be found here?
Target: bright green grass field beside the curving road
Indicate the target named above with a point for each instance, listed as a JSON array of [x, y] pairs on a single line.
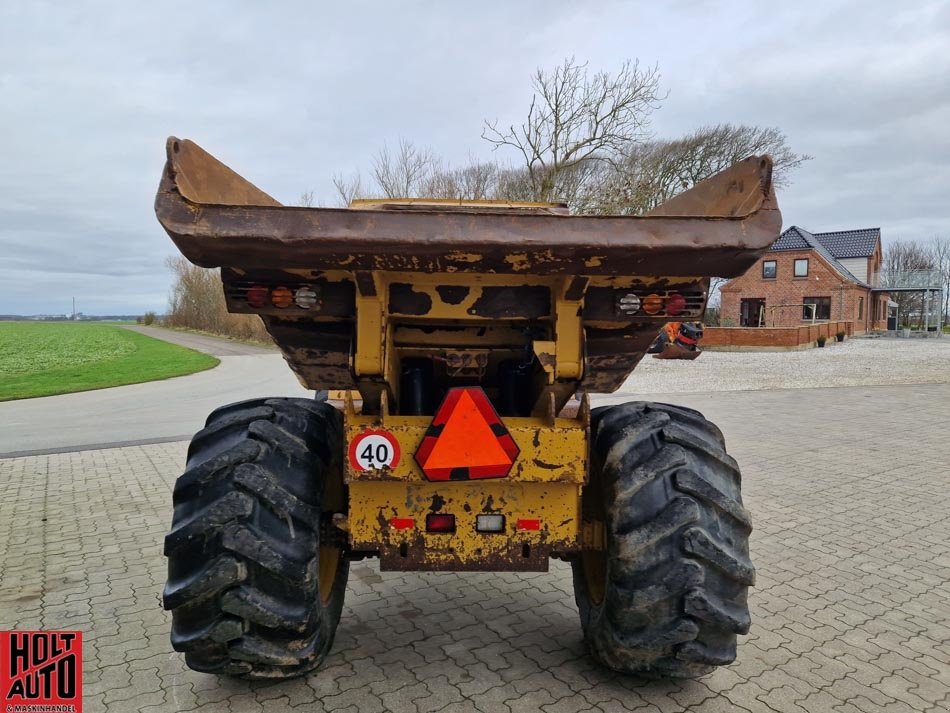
[[46, 358]]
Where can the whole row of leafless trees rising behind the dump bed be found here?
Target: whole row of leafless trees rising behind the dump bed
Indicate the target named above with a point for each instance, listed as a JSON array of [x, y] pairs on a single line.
[[585, 142]]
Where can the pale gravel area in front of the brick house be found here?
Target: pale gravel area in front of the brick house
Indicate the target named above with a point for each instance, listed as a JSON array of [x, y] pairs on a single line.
[[854, 362]]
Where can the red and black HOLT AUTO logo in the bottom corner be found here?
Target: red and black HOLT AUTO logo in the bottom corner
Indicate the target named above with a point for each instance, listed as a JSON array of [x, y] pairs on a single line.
[[40, 672]]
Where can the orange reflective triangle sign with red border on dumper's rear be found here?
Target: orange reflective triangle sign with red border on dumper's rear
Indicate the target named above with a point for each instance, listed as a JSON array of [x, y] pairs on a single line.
[[466, 440]]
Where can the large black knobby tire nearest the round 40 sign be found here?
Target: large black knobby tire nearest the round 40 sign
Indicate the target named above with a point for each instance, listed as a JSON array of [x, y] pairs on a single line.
[[252, 589]]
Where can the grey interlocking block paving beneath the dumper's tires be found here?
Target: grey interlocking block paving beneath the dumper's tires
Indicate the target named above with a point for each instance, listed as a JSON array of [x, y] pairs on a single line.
[[851, 613]]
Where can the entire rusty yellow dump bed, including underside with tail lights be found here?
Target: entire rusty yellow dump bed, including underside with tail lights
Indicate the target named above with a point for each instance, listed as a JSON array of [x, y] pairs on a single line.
[[404, 299]]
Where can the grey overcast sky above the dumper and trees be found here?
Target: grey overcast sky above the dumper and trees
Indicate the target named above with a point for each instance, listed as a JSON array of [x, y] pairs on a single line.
[[291, 93]]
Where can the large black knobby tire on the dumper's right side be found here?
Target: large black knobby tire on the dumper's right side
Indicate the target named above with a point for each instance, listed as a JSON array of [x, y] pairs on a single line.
[[662, 589]]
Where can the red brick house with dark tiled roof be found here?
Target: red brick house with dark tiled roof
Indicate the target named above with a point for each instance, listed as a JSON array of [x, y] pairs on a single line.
[[835, 275]]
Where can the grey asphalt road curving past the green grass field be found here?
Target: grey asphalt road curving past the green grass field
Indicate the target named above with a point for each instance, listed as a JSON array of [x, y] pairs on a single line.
[[172, 409]]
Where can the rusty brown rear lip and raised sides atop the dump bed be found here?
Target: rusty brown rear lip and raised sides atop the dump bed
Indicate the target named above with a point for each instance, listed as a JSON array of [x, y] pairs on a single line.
[[218, 219]]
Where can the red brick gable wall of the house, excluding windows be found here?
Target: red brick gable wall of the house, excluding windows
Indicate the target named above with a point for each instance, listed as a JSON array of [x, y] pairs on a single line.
[[785, 289]]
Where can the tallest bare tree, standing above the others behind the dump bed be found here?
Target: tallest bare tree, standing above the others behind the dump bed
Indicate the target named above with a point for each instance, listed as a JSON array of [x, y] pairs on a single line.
[[576, 120]]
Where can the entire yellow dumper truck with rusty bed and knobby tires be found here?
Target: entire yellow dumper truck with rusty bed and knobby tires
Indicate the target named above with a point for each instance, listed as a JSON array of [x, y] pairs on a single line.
[[464, 338]]
